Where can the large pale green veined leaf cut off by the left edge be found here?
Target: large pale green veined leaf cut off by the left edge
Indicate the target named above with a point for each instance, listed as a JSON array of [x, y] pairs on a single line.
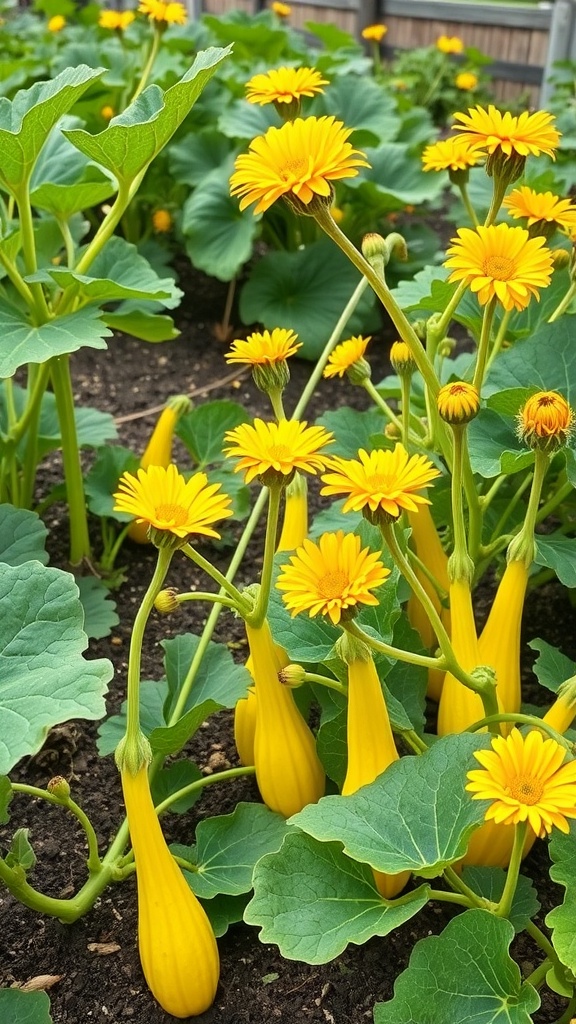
[[45, 679]]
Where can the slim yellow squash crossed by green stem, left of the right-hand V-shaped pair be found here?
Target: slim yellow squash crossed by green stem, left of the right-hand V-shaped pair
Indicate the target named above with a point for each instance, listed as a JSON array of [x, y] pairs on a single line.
[[460, 707]]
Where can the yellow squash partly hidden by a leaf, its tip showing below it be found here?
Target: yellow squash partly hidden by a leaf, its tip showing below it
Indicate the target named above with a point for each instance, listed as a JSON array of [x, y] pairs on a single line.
[[371, 747]]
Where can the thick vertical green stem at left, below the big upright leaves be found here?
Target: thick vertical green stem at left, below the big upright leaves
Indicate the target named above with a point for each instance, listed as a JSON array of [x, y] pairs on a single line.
[[62, 383]]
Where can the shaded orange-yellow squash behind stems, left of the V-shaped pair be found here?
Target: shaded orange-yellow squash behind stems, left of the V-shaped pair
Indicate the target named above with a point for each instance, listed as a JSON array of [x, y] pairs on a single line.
[[429, 549]]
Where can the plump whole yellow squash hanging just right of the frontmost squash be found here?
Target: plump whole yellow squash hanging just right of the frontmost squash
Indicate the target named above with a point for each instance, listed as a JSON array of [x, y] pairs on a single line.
[[289, 771]]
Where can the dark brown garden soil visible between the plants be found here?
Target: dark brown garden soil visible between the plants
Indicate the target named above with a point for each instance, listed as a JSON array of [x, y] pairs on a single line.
[[97, 960]]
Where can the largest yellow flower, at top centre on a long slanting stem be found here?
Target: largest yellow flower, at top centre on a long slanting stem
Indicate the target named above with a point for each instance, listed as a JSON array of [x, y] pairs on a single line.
[[300, 159]]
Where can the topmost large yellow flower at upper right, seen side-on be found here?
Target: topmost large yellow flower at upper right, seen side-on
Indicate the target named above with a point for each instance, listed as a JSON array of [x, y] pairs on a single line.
[[527, 135]]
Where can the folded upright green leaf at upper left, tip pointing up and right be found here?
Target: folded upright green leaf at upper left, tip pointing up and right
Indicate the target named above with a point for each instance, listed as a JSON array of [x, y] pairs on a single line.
[[133, 140]]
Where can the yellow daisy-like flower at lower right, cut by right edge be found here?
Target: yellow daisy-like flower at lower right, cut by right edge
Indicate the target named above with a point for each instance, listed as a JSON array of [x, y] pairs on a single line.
[[527, 780]]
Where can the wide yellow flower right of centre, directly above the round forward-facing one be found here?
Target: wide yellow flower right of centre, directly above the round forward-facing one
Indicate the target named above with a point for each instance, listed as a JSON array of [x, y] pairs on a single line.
[[381, 481]]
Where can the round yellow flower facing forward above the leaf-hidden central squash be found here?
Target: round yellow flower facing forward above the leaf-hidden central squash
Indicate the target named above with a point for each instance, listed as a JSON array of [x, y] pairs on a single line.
[[333, 577]]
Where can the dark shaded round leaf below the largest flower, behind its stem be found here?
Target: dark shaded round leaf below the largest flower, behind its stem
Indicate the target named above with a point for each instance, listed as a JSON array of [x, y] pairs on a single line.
[[306, 292]]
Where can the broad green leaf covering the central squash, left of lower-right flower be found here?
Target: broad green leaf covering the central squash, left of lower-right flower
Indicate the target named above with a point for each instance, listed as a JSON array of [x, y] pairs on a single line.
[[427, 791]]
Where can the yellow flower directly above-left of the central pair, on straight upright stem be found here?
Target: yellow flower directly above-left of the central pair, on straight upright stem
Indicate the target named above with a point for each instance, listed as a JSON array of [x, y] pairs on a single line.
[[274, 452]]
